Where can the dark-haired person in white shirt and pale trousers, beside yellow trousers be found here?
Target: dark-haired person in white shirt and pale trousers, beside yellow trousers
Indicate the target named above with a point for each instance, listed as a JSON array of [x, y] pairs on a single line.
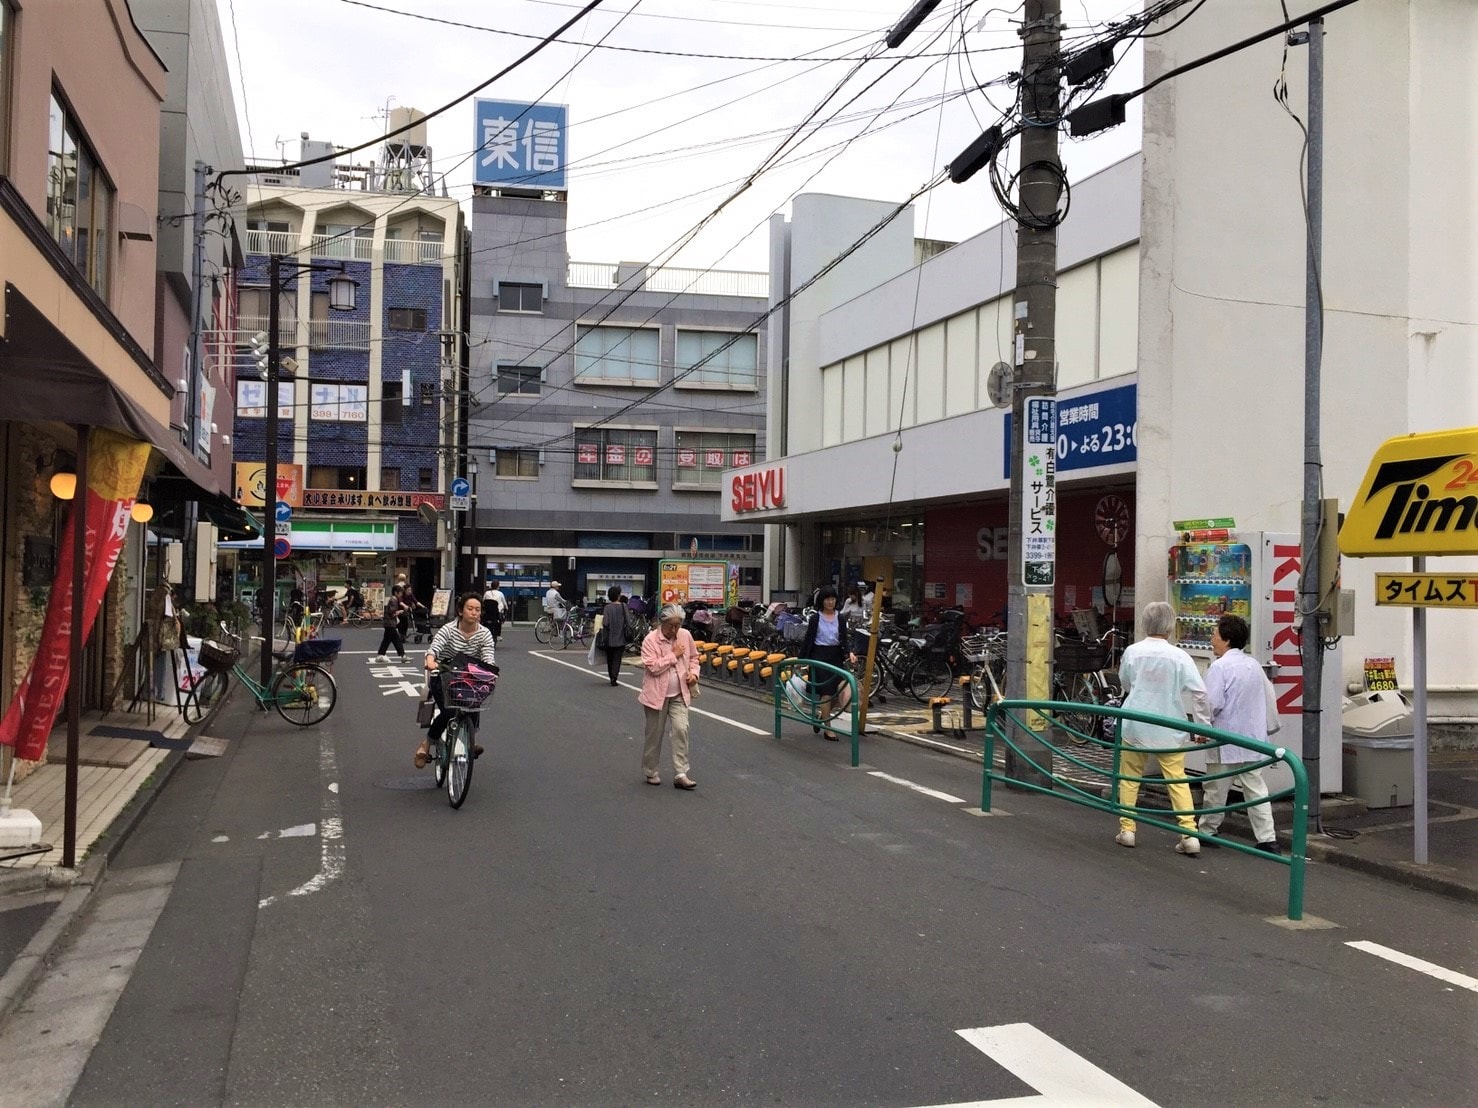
[[1238, 692]]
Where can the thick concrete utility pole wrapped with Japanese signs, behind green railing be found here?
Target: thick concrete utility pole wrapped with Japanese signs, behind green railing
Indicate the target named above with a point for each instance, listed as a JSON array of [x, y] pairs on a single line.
[[1029, 605]]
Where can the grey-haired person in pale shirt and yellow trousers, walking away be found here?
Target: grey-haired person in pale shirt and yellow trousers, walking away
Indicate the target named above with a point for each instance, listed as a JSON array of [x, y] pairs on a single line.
[[1157, 676]]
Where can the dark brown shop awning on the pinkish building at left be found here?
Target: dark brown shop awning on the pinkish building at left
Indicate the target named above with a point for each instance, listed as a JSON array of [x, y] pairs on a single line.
[[50, 380]]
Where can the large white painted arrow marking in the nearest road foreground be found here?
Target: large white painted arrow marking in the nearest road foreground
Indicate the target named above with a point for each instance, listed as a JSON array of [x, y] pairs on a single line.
[[1062, 1079]]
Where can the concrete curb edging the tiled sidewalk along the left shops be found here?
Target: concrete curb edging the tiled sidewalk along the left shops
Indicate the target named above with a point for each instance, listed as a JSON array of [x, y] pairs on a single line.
[[81, 886]]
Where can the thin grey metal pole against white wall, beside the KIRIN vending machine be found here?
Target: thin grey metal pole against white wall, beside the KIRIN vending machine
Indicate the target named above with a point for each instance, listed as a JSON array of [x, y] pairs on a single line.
[[1313, 590]]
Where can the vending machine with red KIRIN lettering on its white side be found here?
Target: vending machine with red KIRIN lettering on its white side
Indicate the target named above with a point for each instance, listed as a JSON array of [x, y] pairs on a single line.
[[1256, 575]]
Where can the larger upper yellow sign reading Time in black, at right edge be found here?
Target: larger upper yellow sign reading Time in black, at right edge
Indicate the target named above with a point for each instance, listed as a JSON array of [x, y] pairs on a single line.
[[1420, 497]]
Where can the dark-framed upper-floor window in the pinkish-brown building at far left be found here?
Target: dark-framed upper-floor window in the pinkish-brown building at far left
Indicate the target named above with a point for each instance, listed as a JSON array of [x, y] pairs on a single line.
[[79, 200]]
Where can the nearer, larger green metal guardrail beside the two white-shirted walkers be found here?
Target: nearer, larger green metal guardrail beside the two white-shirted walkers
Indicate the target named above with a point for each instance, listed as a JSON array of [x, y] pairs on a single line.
[[1018, 714]]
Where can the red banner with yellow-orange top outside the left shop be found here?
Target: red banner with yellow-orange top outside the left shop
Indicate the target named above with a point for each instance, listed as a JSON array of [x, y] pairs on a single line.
[[115, 471]]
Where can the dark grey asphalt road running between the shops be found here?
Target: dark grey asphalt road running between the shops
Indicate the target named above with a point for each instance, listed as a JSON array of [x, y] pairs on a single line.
[[796, 931]]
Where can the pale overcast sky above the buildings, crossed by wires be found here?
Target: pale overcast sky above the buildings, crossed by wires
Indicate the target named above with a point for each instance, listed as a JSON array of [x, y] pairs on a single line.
[[658, 137]]
